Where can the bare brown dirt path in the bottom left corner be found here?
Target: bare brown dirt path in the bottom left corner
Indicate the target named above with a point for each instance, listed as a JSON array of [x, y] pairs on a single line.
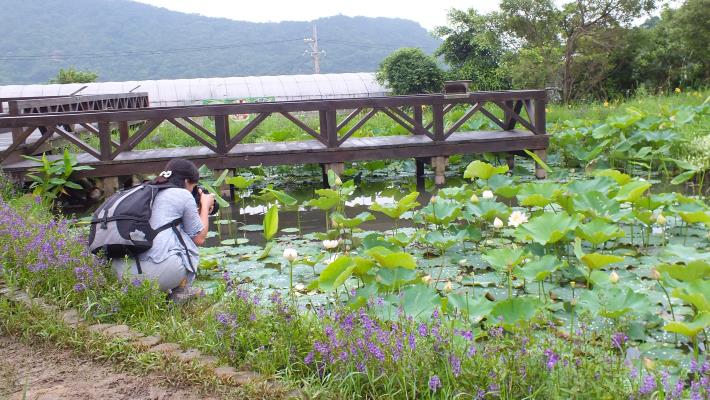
[[56, 374]]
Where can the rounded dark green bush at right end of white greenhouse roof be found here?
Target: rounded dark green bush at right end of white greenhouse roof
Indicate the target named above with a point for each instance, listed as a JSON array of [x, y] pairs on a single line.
[[410, 71]]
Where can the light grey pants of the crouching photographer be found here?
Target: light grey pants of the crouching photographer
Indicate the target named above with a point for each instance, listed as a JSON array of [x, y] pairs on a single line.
[[168, 274]]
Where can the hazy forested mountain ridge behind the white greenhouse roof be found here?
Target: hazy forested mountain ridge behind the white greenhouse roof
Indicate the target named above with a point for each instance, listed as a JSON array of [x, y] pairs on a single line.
[[124, 40]]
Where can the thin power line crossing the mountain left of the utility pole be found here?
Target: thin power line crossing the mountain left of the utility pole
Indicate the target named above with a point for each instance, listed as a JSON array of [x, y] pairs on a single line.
[[142, 52]]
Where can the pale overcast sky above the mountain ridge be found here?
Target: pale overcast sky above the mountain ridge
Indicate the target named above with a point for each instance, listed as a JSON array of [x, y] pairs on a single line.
[[428, 13]]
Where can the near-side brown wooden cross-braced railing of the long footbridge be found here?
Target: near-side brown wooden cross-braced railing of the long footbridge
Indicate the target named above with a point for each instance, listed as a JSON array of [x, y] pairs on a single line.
[[338, 120]]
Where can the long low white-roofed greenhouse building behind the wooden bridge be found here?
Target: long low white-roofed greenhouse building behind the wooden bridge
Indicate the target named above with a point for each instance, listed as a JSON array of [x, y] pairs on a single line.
[[179, 92]]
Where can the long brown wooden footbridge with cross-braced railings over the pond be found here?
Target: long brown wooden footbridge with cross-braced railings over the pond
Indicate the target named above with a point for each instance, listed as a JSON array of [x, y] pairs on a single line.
[[335, 138]]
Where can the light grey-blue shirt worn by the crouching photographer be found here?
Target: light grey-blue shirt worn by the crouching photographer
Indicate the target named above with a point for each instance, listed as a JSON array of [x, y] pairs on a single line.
[[169, 205]]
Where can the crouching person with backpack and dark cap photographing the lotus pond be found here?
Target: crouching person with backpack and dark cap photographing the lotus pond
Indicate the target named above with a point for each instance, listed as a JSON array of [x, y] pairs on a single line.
[[165, 250]]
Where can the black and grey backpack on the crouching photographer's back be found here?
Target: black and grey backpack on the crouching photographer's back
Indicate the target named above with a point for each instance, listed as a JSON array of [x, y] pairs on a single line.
[[121, 226]]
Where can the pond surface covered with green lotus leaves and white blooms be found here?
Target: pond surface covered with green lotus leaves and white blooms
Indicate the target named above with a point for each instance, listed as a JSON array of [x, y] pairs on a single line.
[[606, 252]]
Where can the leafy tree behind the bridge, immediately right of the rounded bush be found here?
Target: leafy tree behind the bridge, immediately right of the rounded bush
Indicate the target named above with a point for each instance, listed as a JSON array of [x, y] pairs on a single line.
[[473, 48]]
